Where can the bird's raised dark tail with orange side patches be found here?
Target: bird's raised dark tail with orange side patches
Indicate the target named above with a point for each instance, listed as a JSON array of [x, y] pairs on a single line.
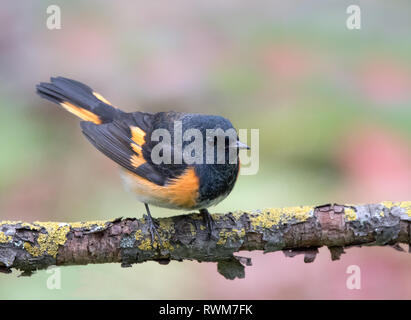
[[78, 99]]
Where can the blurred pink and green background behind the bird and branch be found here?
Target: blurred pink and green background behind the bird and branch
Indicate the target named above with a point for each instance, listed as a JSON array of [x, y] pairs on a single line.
[[332, 106]]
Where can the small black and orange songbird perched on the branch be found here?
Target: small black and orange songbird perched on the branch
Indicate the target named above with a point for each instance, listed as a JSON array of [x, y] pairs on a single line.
[[126, 138]]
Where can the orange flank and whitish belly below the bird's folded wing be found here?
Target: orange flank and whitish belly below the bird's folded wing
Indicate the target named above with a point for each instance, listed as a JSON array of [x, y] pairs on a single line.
[[180, 193]]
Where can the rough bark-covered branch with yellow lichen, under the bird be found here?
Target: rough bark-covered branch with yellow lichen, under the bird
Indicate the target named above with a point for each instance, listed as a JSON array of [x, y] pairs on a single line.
[[38, 245]]
